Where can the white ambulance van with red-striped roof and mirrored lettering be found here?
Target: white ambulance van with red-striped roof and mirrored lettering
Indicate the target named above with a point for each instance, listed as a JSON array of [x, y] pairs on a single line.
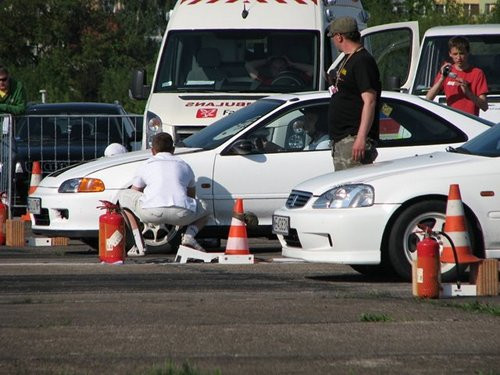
[[200, 74]]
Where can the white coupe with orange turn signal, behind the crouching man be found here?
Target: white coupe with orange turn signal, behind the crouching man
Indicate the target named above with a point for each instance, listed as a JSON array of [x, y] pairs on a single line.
[[232, 159]]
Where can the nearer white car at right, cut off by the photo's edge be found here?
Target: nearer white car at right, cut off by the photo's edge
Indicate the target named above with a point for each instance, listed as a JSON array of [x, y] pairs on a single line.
[[367, 216]]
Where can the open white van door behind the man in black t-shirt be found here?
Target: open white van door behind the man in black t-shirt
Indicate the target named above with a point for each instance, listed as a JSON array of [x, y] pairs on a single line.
[[395, 47]]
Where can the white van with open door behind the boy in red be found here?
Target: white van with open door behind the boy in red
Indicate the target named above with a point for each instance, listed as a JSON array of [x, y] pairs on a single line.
[[410, 66]]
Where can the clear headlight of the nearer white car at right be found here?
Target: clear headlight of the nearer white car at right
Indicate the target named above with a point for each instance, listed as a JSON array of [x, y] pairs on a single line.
[[346, 196]]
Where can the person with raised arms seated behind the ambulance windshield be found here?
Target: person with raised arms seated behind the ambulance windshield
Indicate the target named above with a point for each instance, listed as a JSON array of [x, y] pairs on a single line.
[[268, 70]]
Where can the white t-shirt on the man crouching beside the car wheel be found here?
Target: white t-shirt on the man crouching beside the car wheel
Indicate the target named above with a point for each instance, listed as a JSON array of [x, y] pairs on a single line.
[[165, 179]]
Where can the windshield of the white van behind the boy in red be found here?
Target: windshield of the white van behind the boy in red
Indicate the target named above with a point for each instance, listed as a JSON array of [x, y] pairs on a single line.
[[484, 54]]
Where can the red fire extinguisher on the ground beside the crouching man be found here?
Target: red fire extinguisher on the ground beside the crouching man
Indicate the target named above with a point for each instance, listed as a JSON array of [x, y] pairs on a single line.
[[111, 234]]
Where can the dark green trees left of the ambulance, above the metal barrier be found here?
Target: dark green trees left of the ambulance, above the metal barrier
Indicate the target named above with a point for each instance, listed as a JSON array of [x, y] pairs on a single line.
[[79, 50]]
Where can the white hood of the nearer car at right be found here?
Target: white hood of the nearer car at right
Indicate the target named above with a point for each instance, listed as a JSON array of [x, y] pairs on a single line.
[[389, 171]]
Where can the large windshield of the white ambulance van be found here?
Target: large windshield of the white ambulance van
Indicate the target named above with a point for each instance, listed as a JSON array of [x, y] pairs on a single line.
[[254, 61]]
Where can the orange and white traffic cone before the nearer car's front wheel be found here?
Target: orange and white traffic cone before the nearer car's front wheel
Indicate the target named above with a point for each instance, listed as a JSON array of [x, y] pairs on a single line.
[[455, 227]]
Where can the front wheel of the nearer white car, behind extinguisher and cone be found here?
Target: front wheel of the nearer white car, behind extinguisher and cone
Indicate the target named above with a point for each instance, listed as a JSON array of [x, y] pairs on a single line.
[[405, 234]]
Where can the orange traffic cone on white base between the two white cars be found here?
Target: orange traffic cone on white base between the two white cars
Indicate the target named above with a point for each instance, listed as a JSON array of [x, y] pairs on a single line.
[[237, 251]]
